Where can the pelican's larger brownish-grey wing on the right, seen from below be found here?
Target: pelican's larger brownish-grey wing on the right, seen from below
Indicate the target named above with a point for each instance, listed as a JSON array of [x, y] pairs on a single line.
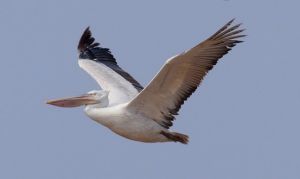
[[182, 74]]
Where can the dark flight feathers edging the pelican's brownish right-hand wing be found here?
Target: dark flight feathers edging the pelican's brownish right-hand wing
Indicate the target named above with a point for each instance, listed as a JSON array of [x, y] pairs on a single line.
[[219, 43]]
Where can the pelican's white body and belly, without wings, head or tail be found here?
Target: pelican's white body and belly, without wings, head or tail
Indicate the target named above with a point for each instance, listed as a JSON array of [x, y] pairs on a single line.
[[127, 124]]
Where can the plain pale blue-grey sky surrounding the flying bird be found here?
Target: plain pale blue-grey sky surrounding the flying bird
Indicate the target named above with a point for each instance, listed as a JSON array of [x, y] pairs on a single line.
[[243, 121]]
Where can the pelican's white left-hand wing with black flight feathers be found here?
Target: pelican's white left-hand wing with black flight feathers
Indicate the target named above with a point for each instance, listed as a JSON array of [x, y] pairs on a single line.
[[102, 66]]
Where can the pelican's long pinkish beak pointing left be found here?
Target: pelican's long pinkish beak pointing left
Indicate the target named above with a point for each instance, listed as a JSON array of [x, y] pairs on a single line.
[[74, 101]]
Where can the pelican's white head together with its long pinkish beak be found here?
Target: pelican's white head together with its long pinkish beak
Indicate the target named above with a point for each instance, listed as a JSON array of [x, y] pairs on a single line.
[[94, 98]]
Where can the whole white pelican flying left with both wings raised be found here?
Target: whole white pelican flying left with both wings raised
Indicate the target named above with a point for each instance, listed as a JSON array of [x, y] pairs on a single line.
[[146, 114]]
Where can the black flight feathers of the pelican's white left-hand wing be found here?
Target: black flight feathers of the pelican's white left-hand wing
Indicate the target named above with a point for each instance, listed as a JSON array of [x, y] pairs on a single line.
[[89, 49]]
